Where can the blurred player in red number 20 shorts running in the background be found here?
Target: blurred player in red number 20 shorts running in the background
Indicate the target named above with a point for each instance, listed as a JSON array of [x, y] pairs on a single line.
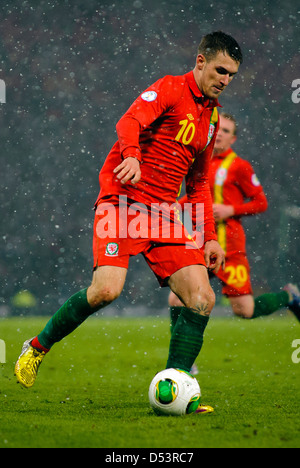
[[237, 192]]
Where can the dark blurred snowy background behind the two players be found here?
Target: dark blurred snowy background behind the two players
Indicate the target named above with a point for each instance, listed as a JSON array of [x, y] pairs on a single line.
[[71, 69]]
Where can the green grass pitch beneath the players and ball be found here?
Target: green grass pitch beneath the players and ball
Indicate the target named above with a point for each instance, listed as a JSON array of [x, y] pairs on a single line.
[[92, 388]]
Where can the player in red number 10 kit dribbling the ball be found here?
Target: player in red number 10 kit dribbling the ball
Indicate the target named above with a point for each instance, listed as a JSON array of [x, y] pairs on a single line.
[[168, 134]]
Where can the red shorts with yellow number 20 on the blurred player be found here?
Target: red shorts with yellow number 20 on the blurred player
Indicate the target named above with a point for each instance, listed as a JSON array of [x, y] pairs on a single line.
[[236, 276]]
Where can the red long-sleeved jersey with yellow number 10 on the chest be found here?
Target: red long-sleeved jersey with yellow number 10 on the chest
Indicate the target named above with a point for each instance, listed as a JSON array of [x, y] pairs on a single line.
[[171, 129]]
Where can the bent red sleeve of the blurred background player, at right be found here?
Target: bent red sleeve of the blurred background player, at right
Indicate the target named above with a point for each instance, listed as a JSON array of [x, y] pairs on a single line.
[[251, 189]]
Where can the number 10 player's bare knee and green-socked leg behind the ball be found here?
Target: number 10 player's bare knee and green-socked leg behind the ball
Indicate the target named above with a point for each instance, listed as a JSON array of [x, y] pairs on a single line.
[[191, 285]]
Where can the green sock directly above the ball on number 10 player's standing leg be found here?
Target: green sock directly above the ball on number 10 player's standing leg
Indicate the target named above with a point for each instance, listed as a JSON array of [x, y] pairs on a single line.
[[186, 340]]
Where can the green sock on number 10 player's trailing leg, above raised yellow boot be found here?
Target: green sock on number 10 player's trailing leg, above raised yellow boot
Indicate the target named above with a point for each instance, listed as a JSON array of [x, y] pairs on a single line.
[[66, 319]]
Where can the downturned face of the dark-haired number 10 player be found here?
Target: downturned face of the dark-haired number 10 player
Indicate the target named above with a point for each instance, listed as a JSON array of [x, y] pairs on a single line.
[[214, 76]]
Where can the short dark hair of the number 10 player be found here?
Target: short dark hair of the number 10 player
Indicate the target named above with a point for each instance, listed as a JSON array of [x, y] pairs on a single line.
[[218, 41]]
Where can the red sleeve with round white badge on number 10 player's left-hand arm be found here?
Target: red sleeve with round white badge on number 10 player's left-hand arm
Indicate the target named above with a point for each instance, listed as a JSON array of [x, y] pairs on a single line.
[[150, 105]]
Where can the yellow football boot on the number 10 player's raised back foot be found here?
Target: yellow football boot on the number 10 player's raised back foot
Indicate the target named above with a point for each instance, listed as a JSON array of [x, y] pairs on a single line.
[[28, 364]]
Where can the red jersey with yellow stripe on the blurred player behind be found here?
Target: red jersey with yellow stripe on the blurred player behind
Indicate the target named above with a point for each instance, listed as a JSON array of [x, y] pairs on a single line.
[[232, 182]]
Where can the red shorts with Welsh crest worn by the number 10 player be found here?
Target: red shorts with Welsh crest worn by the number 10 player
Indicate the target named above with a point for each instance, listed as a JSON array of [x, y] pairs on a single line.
[[124, 230]]
